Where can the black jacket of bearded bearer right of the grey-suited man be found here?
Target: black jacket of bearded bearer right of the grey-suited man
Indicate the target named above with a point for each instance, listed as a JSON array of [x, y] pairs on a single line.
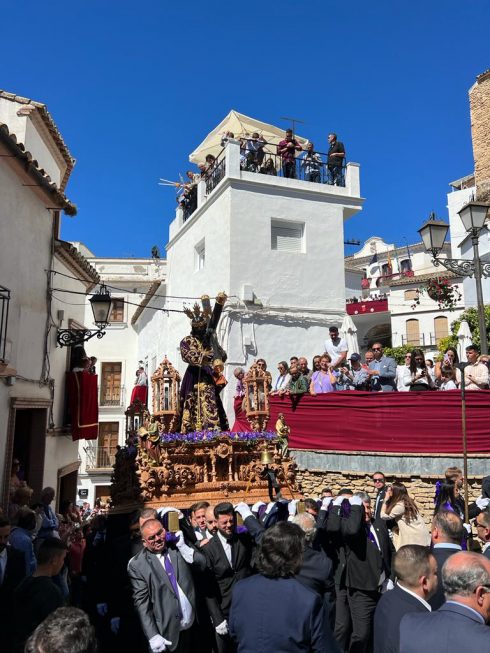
[[221, 576]]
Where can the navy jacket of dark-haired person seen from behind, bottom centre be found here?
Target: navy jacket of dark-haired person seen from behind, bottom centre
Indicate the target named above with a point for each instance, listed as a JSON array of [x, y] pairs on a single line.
[[279, 614]]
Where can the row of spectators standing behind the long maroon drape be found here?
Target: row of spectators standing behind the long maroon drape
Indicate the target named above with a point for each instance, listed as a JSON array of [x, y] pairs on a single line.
[[335, 371]]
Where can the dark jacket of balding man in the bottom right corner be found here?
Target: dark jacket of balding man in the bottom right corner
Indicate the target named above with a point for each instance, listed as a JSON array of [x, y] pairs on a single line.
[[451, 628]]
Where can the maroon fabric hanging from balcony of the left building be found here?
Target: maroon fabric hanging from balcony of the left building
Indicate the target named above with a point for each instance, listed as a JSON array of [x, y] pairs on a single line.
[[84, 407]]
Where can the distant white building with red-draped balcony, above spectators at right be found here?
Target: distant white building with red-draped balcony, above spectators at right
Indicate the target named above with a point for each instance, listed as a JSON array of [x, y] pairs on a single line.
[[385, 308]]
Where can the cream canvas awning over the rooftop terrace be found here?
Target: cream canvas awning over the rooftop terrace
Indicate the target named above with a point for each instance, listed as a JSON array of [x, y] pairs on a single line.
[[240, 125]]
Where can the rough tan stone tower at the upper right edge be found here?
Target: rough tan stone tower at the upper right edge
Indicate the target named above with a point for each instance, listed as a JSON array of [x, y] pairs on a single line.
[[480, 134]]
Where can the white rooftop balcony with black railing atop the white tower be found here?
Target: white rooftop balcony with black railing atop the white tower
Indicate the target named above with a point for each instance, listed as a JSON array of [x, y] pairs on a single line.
[[231, 165]]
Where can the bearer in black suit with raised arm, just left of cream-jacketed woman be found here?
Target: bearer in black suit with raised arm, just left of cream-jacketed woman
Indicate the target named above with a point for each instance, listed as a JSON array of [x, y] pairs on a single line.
[[367, 551]]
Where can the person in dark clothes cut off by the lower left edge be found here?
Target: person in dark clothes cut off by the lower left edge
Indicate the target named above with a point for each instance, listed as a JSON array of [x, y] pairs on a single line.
[[12, 571]]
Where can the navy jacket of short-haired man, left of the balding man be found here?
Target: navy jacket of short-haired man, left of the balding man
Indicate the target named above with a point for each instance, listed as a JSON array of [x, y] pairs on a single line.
[[392, 607]]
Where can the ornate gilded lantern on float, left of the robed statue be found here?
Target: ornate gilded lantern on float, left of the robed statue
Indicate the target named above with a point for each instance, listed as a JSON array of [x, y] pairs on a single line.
[[165, 385]]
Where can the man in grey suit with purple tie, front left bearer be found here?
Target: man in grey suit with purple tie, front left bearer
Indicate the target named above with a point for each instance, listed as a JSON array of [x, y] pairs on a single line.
[[163, 589]]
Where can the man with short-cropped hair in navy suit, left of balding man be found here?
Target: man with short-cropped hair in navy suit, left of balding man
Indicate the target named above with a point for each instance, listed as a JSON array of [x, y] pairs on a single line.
[[415, 569]]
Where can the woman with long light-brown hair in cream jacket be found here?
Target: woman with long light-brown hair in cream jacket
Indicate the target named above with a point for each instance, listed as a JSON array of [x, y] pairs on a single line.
[[409, 528]]
